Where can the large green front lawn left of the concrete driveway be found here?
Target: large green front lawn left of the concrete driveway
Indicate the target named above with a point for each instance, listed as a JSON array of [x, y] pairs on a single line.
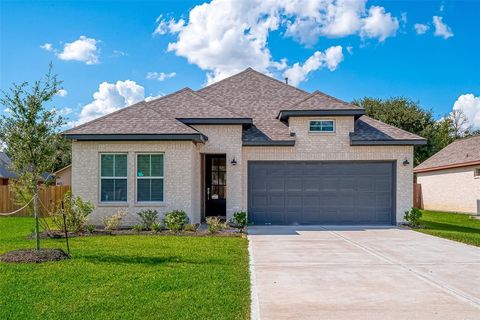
[[126, 277]]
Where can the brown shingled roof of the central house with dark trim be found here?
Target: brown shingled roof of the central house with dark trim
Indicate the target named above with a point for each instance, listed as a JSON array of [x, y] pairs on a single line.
[[249, 98]]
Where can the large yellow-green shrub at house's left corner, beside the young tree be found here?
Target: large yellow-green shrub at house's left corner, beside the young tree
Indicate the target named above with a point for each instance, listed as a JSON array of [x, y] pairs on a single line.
[[76, 212]]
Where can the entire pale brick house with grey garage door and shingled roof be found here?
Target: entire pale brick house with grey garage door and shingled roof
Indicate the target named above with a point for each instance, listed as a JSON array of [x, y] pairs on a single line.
[[248, 142]]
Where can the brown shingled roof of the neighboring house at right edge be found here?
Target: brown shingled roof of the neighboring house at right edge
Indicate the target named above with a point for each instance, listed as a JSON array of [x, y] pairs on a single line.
[[460, 153]]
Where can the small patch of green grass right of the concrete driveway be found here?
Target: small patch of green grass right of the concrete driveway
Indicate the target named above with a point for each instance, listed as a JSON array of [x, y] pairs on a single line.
[[453, 226]]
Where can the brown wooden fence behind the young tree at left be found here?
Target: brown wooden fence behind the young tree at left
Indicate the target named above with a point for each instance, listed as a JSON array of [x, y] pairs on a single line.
[[48, 198]]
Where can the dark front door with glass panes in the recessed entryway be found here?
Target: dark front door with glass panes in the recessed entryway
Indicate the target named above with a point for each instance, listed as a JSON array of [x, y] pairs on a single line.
[[215, 185]]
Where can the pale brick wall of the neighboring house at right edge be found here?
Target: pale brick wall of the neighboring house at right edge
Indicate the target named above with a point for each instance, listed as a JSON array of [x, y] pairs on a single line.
[[455, 190]]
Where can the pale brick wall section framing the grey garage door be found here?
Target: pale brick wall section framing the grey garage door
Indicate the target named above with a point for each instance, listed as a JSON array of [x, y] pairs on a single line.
[[336, 146]]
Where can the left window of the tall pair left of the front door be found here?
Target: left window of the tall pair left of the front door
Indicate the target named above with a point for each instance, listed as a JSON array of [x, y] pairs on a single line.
[[113, 178]]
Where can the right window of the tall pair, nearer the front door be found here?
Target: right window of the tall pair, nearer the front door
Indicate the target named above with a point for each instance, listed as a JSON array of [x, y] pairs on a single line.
[[150, 177]]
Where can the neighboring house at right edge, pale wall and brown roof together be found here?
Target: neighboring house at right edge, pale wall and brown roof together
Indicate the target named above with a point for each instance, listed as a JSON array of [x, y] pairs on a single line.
[[450, 179]]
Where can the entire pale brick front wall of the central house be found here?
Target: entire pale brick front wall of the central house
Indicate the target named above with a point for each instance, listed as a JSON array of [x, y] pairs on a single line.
[[182, 165]]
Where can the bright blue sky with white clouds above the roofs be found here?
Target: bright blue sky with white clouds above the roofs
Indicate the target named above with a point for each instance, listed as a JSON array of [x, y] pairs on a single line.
[[110, 54]]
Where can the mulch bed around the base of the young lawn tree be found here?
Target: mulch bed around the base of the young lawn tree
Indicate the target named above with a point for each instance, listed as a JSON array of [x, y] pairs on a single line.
[[34, 256]]
